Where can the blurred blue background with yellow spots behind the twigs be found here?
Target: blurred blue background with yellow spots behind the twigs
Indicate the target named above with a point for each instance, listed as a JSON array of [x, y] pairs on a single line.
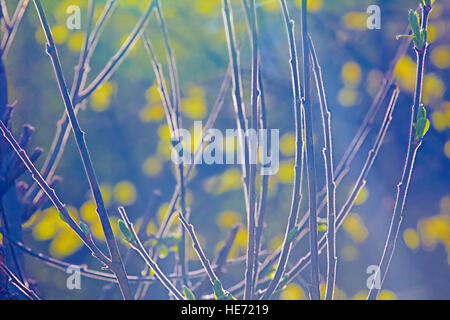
[[130, 144]]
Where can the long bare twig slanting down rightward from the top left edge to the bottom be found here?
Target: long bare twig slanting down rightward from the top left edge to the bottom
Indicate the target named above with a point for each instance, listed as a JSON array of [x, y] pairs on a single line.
[[116, 260]]
